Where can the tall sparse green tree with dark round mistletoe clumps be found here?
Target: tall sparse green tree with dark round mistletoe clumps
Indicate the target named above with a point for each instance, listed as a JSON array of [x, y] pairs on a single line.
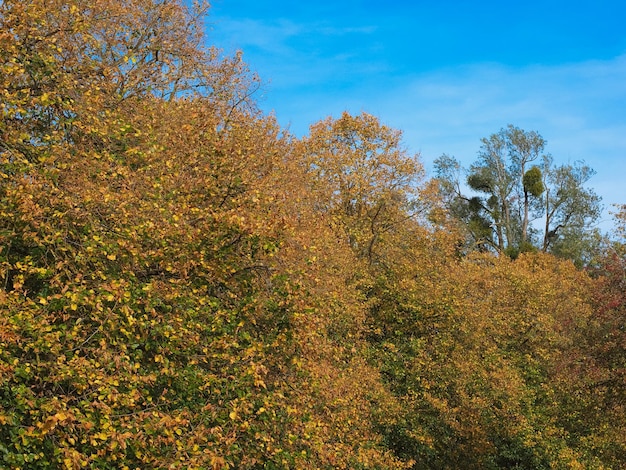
[[515, 183]]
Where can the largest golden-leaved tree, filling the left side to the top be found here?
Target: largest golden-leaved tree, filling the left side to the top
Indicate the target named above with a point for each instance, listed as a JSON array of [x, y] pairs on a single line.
[[157, 309]]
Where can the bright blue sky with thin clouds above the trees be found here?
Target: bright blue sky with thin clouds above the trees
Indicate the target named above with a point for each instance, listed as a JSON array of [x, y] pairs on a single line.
[[446, 73]]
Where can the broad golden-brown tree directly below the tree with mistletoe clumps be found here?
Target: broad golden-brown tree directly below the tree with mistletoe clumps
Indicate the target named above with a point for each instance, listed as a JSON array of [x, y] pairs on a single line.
[[474, 352]]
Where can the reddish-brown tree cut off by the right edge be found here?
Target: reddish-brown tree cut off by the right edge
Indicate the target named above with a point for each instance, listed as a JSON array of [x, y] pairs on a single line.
[[592, 377]]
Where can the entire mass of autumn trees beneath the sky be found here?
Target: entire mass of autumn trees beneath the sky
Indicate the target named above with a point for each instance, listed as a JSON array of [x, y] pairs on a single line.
[[184, 284]]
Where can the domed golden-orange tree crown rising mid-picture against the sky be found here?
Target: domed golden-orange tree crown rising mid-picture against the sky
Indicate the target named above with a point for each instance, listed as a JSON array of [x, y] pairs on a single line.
[[366, 179]]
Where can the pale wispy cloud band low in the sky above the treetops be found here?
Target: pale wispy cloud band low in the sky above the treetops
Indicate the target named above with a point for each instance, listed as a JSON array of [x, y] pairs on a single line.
[[578, 108]]
